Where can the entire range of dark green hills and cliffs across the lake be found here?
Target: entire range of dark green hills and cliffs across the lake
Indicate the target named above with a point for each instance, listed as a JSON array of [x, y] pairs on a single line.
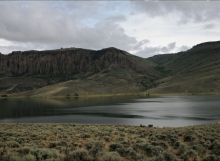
[[75, 71]]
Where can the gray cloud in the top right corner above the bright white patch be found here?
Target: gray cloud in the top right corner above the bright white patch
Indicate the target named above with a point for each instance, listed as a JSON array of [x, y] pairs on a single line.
[[189, 11]]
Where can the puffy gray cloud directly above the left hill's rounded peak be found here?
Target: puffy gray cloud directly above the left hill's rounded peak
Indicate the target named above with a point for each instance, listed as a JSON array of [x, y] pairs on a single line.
[[103, 35]]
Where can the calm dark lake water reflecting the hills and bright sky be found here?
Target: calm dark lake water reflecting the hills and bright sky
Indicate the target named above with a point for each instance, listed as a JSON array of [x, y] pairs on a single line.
[[170, 111]]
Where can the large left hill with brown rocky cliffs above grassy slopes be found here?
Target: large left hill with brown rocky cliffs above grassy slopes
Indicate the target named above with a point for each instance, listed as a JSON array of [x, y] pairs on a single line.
[[73, 70]]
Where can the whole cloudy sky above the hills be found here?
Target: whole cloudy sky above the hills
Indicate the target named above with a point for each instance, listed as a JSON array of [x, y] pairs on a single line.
[[140, 27]]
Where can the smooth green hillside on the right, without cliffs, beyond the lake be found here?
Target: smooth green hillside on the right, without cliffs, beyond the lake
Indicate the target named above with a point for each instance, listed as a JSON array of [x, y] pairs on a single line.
[[194, 71]]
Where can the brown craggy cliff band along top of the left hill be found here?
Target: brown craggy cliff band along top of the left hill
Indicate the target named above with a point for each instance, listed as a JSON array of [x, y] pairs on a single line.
[[66, 61]]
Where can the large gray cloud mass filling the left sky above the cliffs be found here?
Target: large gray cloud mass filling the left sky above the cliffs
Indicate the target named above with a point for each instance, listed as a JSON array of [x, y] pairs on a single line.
[[46, 25]]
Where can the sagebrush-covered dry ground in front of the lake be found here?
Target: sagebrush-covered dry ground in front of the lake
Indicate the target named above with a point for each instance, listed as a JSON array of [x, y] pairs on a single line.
[[72, 142]]
